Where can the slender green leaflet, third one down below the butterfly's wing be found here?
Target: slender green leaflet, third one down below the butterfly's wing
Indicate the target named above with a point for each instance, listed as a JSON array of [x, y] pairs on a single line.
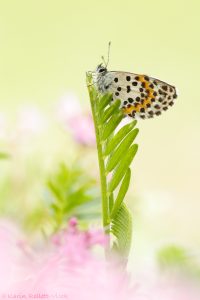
[[122, 168]]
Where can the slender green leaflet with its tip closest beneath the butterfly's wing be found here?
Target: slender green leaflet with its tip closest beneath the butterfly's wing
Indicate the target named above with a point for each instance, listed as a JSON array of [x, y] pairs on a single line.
[[119, 137]]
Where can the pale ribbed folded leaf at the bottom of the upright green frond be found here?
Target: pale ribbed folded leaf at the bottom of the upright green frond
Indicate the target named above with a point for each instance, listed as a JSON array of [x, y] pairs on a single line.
[[122, 229]]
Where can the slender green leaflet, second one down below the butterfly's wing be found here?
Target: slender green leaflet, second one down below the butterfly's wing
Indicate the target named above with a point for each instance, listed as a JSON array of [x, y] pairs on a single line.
[[115, 158]]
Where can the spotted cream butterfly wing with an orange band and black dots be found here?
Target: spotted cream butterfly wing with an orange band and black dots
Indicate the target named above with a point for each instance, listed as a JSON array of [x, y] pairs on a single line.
[[142, 96]]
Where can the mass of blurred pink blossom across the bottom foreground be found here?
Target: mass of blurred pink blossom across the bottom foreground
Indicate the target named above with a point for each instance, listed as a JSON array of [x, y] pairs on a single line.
[[67, 268]]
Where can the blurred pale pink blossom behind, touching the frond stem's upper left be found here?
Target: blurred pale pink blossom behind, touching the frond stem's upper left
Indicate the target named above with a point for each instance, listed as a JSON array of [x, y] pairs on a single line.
[[78, 122]]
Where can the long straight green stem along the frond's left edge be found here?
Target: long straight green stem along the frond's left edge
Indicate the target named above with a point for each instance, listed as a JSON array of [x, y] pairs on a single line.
[[105, 205]]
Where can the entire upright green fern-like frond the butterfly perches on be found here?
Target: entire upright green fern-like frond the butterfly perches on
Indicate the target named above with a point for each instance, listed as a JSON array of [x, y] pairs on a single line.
[[116, 151]]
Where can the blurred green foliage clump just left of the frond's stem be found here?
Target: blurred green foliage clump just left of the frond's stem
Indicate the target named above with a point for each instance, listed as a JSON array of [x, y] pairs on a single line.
[[72, 192]]
